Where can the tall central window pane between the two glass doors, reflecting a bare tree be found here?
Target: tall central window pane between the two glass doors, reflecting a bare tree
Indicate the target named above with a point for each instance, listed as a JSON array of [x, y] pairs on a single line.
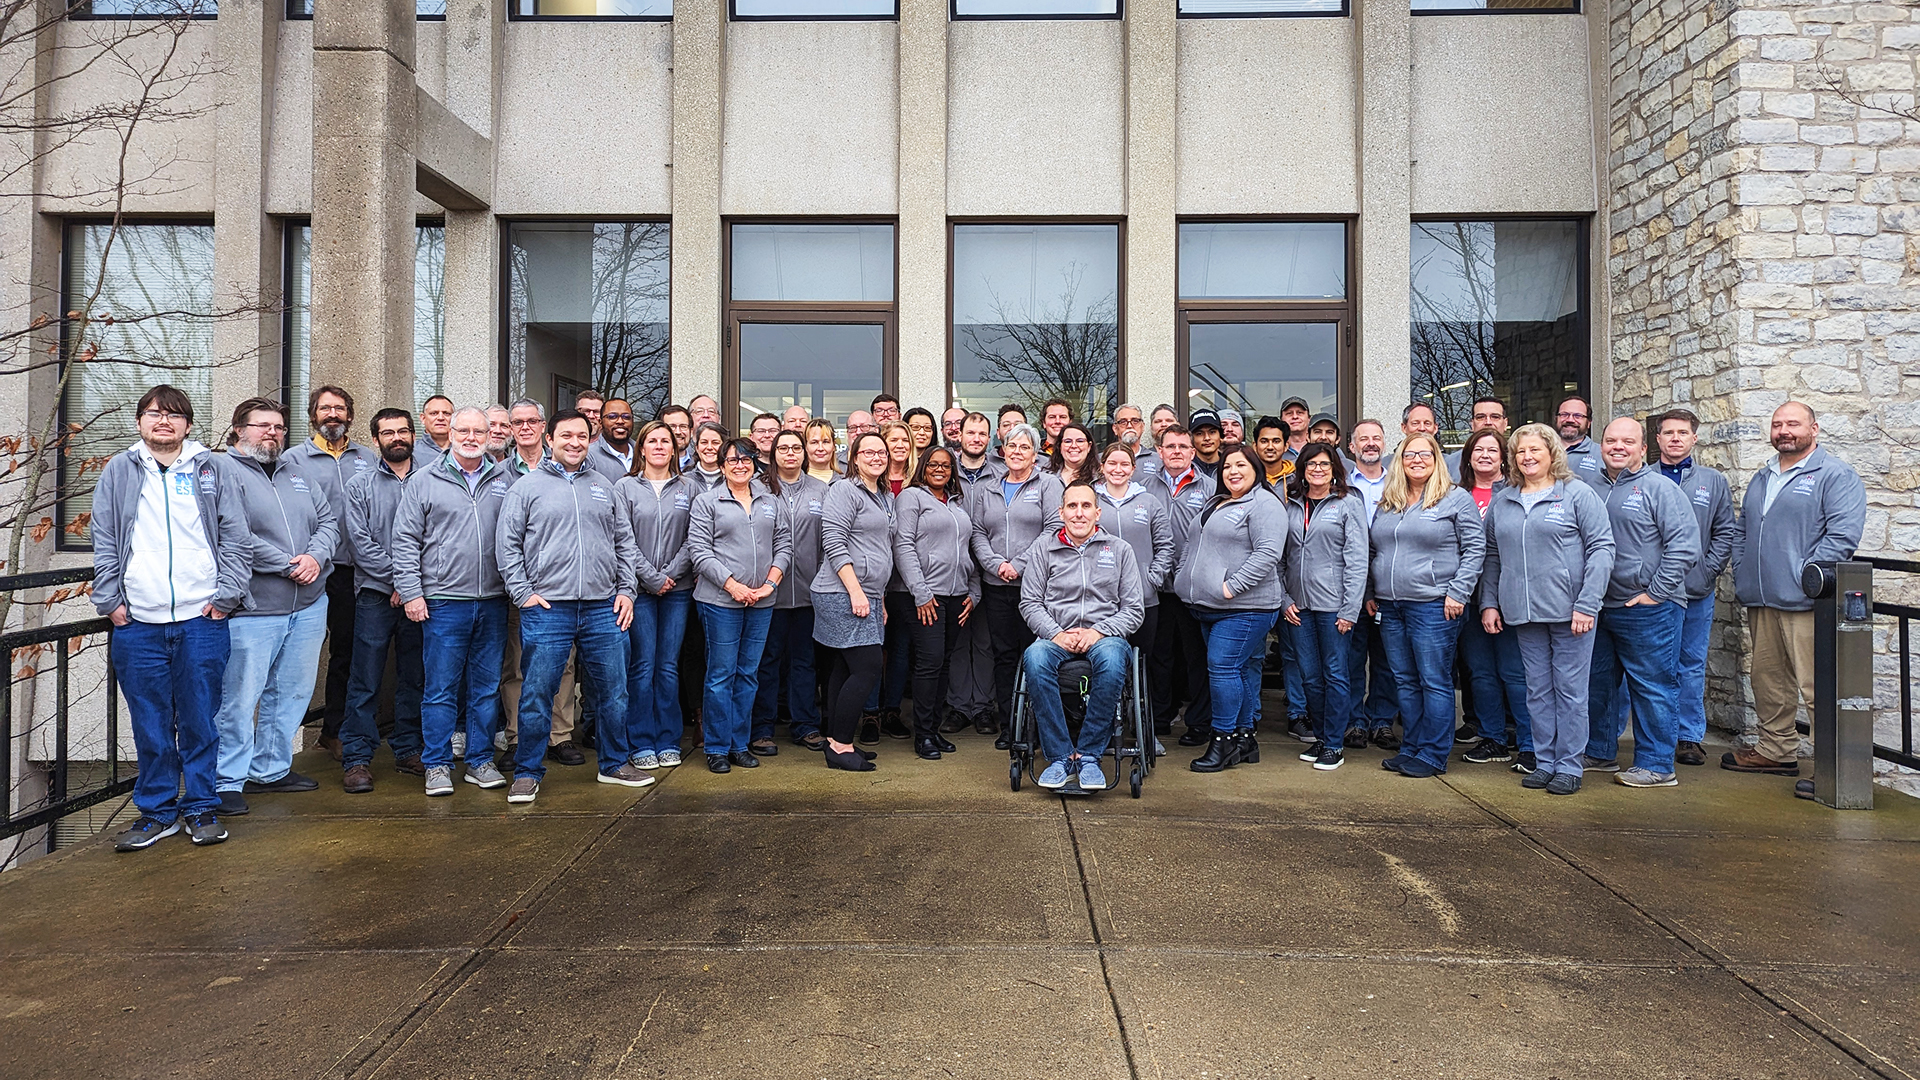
[[1036, 316]]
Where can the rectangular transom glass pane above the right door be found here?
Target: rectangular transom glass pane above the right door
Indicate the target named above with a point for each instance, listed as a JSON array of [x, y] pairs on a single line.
[[1262, 260]]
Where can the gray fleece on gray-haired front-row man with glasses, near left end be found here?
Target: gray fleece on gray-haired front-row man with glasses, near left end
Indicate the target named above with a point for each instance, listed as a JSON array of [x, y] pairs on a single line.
[[444, 537]]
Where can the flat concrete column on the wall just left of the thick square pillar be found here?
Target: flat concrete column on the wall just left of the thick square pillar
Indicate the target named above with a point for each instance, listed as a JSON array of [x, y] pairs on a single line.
[[247, 243]]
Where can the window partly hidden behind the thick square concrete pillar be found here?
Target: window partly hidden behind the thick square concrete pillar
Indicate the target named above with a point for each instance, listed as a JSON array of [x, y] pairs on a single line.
[[429, 322]]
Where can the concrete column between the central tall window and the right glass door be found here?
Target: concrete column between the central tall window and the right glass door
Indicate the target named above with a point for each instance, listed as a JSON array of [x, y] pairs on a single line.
[[1153, 37]]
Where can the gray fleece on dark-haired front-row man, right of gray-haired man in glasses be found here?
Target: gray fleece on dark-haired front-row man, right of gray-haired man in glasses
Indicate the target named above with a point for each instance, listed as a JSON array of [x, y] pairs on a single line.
[[564, 537]]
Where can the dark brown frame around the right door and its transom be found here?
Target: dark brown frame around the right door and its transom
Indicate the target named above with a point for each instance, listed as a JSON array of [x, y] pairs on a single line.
[[1343, 312]]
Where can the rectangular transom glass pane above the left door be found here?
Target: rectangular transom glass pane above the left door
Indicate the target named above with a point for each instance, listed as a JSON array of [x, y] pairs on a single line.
[[813, 262]]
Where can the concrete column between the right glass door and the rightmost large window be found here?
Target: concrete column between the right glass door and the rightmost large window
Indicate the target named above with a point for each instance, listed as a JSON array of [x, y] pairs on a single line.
[[1383, 239]]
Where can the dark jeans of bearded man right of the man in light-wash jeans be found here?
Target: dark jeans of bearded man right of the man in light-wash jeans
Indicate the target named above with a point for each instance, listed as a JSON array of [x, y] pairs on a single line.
[[377, 629]]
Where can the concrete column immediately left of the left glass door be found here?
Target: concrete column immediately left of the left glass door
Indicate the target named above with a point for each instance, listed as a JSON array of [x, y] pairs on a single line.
[[700, 59]]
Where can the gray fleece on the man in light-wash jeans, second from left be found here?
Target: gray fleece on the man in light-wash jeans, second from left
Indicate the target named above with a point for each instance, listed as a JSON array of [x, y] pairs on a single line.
[[289, 516]]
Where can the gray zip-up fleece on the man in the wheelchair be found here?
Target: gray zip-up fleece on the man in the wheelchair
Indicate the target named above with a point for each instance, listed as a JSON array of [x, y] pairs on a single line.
[[1095, 585]]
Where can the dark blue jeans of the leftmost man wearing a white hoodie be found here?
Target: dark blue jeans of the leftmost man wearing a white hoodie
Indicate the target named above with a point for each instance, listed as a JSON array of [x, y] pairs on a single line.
[[172, 679]]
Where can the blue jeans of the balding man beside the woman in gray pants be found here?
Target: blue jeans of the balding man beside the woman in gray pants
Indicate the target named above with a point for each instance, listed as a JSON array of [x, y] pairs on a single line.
[[1644, 647]]
